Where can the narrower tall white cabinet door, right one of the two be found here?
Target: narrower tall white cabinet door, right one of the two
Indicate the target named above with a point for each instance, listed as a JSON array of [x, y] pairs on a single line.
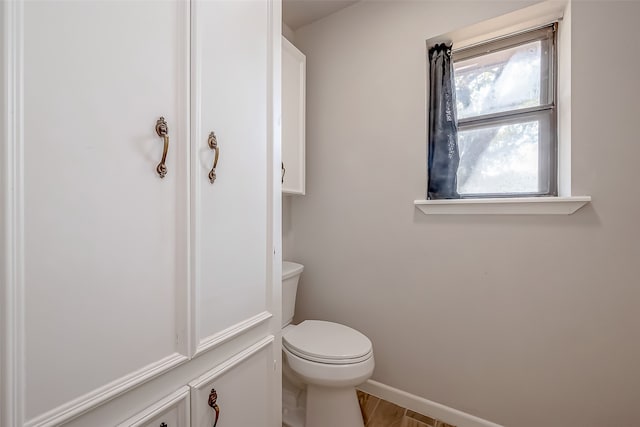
[[231, 83]]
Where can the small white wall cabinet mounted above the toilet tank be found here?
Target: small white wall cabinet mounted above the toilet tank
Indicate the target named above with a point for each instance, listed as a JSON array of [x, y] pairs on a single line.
[[293, 118]]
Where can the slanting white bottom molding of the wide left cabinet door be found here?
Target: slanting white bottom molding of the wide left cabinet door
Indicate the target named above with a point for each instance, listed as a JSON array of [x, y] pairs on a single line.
[[78, 406]]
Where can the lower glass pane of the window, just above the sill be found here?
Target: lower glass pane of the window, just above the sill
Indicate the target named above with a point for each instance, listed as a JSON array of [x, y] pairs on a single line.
[[499, 159]]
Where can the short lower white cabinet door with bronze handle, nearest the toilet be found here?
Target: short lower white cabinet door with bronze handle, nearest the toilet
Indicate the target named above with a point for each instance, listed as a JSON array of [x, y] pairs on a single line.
[[241, 385]]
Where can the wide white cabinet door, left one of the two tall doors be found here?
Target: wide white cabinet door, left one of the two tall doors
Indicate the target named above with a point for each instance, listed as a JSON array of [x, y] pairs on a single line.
[[104, 252]]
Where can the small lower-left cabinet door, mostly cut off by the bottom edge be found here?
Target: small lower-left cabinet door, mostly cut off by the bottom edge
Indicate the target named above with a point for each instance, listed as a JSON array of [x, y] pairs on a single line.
[[172, 411]]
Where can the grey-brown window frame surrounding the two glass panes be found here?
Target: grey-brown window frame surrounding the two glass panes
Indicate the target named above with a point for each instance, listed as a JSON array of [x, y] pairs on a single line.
[[546, 112]]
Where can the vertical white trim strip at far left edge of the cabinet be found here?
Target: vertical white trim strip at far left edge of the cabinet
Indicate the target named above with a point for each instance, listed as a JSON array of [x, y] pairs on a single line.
[[12, 299]]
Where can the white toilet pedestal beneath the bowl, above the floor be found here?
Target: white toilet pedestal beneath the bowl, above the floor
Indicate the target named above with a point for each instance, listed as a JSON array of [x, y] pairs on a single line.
[[329, 406]]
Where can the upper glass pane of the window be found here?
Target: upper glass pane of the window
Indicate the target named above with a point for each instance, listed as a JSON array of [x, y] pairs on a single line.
[[500, 81]]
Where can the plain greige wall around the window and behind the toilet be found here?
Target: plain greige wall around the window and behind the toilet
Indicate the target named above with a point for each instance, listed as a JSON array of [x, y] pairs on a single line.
[[521, 320]]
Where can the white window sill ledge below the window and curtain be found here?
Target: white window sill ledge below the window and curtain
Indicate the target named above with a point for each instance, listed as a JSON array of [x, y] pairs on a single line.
[[504, 206]]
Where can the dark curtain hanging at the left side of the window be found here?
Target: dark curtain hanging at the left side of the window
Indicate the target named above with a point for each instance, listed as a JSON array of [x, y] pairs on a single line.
[[444, 156]]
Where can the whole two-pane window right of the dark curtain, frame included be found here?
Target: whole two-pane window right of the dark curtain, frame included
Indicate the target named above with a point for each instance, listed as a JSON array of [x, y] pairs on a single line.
[[506, 107]]
